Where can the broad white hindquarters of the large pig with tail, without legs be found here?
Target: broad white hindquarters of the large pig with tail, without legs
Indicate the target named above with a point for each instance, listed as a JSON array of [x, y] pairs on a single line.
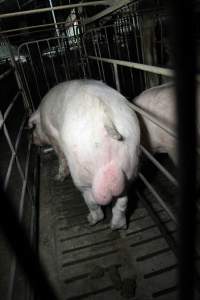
[[100, 135]]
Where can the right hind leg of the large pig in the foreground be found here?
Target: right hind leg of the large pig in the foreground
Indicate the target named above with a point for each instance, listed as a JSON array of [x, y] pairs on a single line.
[[119, 213]]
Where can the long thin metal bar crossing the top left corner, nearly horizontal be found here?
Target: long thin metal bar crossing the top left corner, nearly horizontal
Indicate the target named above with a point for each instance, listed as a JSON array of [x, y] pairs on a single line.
[[55, 8]]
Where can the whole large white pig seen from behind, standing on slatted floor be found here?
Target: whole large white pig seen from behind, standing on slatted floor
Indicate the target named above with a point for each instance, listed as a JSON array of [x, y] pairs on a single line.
[[96, 135]]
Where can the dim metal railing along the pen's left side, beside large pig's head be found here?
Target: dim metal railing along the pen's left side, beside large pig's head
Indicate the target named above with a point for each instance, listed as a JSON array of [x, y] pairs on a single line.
[[10, 78]]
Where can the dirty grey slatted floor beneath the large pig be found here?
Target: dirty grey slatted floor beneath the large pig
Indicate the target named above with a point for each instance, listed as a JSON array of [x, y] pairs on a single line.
[[72, 250]]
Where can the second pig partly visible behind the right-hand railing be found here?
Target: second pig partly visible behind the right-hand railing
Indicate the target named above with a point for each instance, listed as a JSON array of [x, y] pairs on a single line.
[[159, 102]]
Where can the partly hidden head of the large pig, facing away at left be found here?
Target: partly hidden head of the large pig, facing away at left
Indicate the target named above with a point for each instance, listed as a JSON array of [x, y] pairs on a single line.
[[34, 124]]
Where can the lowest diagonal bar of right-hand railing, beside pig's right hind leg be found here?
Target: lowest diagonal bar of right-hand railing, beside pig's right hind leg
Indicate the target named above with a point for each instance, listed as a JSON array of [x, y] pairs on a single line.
[[158, 198]]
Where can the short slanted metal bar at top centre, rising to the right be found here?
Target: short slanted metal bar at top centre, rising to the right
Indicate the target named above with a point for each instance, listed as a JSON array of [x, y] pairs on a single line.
[[108, 10]]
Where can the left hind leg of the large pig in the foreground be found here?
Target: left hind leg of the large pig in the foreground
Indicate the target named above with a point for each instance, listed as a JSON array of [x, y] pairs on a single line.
[[96, 213]]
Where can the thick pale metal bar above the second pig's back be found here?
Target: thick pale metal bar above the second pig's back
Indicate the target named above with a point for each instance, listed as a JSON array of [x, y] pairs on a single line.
[[143, 67]]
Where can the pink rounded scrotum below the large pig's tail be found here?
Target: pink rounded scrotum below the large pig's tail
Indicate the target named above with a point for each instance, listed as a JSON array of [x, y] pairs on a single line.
[[108, 182]]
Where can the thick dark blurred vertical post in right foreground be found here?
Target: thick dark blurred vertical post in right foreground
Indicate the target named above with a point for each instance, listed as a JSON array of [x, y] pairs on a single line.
[[185, 59]]
